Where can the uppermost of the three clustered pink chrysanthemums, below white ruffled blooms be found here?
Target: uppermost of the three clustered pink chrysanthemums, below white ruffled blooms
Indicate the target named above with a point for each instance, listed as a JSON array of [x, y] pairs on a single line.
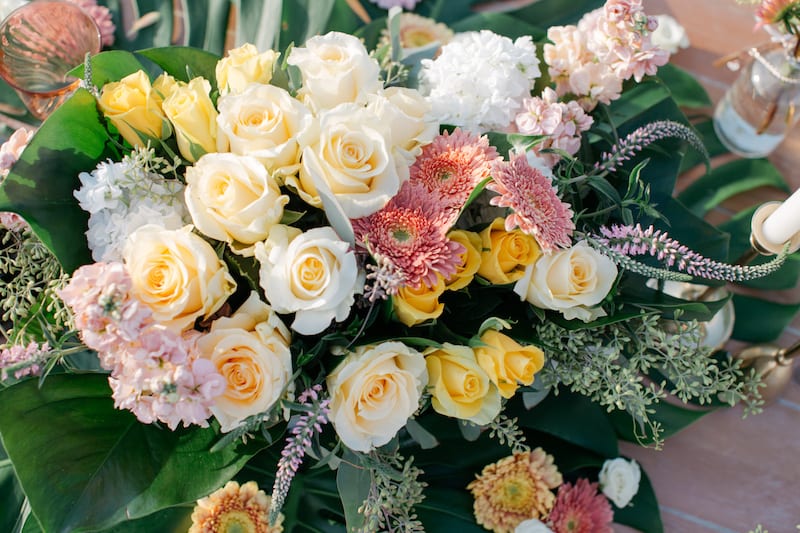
[[453, 164]]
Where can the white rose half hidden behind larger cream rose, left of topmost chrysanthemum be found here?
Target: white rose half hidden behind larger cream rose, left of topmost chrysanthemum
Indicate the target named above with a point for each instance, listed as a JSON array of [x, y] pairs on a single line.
[[408, 113]]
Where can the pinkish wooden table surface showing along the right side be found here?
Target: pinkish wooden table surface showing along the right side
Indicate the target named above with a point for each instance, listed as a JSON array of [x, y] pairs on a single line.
[[725, 474]]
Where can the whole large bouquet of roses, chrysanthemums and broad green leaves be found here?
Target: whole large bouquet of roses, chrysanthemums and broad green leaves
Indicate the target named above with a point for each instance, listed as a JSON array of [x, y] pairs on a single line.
[[401, 271]]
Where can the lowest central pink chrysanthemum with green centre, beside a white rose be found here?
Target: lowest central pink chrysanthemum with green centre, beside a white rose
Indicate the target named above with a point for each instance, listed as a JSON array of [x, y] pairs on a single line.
[[415, 245]]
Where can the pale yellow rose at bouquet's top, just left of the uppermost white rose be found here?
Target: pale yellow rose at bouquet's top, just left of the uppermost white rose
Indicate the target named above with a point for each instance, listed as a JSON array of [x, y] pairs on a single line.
[[243, 66]]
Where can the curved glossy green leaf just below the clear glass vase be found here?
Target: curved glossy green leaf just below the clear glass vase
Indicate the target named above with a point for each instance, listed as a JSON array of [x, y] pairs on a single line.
[[727, 180]]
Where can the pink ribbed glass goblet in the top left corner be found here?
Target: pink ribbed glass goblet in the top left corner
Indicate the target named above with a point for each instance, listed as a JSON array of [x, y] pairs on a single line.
[[40, 43]]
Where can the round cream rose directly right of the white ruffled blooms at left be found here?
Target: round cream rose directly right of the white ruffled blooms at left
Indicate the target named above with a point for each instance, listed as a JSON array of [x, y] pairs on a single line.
[[232, 198]]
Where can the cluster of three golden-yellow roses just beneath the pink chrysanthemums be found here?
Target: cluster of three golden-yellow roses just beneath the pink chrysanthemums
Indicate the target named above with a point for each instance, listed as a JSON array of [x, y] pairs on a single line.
[[499, 256]]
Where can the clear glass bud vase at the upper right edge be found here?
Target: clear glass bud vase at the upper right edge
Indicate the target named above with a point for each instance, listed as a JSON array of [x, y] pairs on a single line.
[[760, 108]]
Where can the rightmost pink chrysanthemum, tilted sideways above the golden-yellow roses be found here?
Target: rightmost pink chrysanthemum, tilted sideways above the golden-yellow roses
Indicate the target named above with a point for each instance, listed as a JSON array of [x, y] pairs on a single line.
[[538, 210]]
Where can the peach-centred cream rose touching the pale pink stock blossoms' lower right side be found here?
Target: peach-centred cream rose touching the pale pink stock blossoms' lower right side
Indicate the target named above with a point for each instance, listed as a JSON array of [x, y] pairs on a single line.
[[250, 350]]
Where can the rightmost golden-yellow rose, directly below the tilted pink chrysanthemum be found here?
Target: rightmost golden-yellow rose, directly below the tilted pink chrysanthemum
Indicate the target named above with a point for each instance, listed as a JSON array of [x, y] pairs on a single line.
[[506, 254]]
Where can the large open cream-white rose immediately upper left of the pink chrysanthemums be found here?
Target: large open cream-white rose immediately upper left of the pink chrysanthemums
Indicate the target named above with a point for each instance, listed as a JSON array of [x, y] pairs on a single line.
[[350, 161]]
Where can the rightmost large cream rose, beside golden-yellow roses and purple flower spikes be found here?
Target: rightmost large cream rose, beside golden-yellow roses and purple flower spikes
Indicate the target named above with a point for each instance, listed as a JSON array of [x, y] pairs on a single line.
[[570, 281]]
